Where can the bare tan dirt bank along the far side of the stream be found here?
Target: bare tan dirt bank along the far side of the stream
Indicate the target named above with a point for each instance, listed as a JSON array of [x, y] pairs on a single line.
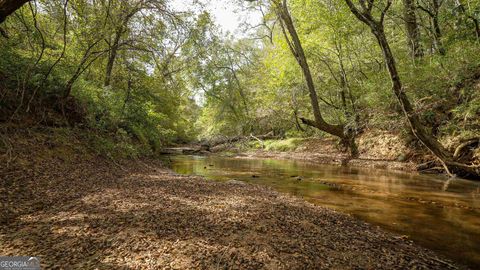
[[377, 149]]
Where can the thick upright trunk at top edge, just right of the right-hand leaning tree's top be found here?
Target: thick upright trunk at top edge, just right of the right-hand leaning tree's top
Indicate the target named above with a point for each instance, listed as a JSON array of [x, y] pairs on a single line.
[[413, 31]]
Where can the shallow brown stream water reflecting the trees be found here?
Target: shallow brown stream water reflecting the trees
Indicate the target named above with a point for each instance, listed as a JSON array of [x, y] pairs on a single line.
[[445, 218]]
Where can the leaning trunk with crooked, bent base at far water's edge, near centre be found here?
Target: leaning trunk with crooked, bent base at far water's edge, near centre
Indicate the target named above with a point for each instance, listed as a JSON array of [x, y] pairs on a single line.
[[295, 45]]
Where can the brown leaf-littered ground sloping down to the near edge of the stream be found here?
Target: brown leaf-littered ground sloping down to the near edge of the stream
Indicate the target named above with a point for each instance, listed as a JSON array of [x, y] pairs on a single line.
[[75, 210]]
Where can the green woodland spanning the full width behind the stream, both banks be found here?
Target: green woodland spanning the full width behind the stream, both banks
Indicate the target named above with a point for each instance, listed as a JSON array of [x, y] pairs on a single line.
[[143, 72]]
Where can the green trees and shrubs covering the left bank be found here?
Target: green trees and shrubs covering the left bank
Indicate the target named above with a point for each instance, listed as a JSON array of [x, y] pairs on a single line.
[[147, 104]]
